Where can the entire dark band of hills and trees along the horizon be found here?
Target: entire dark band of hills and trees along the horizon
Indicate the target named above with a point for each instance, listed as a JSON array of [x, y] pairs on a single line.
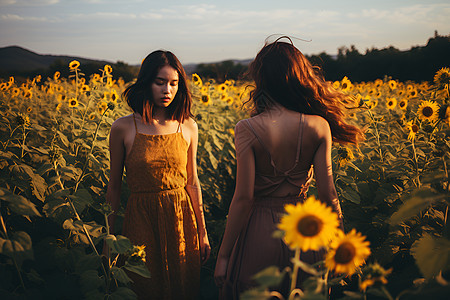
[[418, 64]]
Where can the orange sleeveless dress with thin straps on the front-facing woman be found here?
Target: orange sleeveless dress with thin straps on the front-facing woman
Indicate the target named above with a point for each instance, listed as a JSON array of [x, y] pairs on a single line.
[[159, 215]]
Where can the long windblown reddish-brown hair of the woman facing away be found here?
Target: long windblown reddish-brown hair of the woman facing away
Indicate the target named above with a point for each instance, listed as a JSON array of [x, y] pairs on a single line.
[[283, 75]]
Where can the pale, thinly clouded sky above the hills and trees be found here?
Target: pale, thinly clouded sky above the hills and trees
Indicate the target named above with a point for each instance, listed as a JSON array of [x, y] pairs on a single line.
[[209, 31]]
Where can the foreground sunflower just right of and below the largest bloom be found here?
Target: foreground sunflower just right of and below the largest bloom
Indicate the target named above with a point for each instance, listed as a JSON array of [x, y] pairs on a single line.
[[347, 252]]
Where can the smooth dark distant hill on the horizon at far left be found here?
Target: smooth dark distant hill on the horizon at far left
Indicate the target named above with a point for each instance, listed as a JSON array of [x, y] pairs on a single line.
[[15, 58]]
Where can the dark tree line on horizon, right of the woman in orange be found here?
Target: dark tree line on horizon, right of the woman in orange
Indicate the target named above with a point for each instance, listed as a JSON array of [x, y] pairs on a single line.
[[418, 64]]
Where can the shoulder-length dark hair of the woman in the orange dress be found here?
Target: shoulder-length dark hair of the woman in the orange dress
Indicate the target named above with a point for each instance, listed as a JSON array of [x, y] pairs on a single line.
[[139, 95]]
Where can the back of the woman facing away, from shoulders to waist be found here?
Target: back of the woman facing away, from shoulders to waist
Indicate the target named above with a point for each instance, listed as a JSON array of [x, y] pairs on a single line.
[[285, 144]]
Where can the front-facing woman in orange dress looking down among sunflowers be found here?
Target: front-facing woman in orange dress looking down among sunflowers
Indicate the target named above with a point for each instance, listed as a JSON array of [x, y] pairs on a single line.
[[157, 144]]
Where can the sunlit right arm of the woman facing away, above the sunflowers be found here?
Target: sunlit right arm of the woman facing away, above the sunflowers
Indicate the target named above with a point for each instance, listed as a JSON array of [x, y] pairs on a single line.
[[323, 170]]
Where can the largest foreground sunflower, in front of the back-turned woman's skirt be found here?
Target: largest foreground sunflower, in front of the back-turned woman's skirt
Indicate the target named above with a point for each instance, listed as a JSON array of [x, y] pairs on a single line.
[[309, 225]]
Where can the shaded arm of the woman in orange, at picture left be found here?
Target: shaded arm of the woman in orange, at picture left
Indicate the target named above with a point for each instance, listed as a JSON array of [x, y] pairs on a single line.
[[117, 159]]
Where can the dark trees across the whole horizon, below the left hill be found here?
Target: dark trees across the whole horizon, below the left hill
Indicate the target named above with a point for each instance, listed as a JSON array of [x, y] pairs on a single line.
[[418, 64]]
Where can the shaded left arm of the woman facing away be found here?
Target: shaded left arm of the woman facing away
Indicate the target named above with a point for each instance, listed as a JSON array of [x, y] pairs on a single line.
[[241, 203]]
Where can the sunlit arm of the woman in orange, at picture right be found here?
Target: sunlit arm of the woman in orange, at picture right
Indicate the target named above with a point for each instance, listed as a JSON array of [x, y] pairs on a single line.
[[195, 193]]
